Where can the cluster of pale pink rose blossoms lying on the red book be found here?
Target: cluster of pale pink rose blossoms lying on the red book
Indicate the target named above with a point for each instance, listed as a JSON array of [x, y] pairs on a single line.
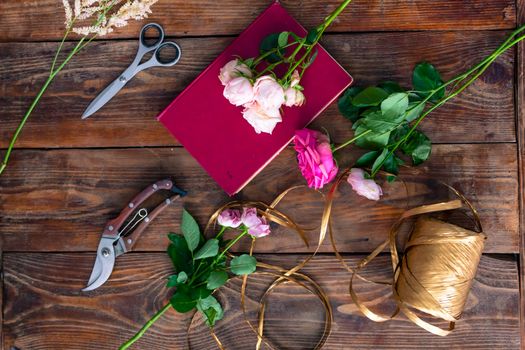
[[261, 96]]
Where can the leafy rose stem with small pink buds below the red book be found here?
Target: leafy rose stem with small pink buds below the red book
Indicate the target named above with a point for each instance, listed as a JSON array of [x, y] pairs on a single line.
[[202, 266]]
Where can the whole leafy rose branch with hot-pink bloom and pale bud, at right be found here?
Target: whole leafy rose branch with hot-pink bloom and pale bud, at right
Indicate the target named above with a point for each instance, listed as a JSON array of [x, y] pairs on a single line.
[[385, 120]]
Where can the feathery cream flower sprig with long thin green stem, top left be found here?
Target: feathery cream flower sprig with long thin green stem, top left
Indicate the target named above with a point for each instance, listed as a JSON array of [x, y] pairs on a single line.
[[103, 16]]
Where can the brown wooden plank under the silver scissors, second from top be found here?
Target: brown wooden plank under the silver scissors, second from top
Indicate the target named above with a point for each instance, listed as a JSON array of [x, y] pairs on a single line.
[[488, 104]]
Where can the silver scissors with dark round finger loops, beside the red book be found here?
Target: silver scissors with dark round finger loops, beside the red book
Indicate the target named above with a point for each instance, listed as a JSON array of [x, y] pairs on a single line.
[[155, 61]]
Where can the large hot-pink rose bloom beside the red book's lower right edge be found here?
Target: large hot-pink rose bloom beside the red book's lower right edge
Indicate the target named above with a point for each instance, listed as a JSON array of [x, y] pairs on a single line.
[[315, 157]]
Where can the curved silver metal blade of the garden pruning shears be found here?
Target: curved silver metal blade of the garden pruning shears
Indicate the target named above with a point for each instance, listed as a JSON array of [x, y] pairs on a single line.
[[103, 264]]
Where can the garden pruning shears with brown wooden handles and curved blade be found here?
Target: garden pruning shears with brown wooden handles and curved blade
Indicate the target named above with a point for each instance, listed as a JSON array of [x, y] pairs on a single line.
[[118, 236]]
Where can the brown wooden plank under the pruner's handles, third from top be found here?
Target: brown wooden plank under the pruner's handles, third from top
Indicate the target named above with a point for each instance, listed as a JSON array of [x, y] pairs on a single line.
[[59, 200]]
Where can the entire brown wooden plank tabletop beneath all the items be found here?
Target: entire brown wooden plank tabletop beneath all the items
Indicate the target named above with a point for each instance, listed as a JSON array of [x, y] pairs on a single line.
[[68, 177]]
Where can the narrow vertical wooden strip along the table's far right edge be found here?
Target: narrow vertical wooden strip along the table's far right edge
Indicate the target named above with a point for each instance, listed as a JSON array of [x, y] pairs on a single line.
[[520, 126]]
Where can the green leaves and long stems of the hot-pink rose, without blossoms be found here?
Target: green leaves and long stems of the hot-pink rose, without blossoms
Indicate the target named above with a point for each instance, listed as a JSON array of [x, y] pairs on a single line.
[[386, 117]]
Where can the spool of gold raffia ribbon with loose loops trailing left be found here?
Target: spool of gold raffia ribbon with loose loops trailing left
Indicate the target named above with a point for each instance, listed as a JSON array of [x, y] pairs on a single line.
[[437, 270]]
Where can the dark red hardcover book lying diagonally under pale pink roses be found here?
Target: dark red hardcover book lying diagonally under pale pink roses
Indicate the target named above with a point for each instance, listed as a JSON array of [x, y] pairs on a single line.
[[214, 131]]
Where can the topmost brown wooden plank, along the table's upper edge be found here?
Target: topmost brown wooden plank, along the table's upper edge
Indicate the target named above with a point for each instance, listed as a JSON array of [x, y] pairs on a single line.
[[20, 21]]
